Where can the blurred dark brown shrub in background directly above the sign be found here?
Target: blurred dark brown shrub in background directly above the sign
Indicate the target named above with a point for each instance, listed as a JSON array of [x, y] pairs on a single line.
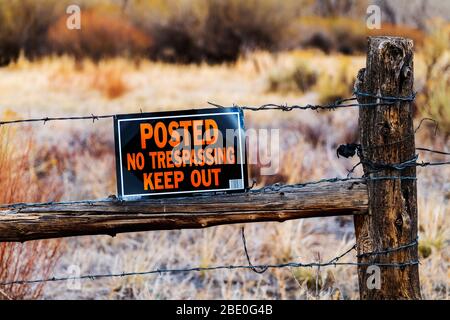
[[212, 30]]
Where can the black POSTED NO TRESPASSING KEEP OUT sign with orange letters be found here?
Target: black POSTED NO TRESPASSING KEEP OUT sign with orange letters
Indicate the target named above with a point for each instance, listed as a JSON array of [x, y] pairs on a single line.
[[180, 153]]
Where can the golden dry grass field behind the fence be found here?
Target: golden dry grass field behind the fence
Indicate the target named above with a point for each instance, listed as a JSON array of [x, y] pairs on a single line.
[[75, 160]]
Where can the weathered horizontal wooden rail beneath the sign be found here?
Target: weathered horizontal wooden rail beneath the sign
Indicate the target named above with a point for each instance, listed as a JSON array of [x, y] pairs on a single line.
[[42, 221]]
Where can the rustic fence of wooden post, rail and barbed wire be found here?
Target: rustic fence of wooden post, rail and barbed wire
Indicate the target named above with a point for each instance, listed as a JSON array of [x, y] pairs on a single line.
[[383, 201]]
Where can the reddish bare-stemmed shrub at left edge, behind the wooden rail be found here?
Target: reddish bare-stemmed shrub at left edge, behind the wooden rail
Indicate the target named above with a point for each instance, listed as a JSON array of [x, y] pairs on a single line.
[[31, 259]]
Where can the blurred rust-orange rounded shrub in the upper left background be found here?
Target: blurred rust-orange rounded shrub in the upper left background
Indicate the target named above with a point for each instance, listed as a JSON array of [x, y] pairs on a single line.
[[101, 35]]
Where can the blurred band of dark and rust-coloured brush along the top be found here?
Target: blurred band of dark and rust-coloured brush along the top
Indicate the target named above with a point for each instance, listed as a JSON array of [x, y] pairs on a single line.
[[204, 30]]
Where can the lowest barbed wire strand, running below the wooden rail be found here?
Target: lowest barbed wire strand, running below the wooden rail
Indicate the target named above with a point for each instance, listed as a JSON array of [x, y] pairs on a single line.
[[261, 268]]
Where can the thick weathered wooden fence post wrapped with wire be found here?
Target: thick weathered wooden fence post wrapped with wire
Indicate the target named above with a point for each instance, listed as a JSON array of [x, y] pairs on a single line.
[[387, 137]]
